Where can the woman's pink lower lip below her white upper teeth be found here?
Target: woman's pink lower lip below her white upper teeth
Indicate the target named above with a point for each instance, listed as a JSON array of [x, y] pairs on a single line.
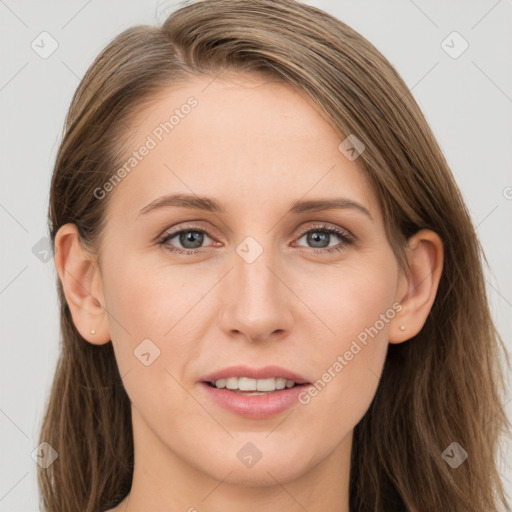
[[255, 406]]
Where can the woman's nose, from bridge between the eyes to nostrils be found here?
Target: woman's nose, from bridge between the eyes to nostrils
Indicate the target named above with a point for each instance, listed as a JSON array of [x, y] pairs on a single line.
[[257, 304]]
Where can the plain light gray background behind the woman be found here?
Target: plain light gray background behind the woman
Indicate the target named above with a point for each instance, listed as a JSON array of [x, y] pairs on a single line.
[[467, 101]]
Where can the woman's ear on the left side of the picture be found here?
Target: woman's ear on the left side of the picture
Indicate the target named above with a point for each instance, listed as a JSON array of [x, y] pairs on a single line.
[[81, 280]]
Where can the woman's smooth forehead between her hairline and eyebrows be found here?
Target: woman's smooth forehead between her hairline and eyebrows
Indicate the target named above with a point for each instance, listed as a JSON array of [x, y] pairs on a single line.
[[244, 139]]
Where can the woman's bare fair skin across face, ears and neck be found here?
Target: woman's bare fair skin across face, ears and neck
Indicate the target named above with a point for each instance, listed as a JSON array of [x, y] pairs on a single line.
[[255, 146]]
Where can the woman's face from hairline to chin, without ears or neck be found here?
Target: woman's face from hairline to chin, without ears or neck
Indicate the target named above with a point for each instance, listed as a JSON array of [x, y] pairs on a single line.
[[256, 282]]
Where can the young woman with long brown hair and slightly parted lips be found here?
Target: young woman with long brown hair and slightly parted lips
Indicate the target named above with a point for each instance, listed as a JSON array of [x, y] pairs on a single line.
[[271, 292]]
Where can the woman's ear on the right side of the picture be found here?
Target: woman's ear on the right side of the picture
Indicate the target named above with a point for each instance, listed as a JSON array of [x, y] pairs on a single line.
[[417, 289]]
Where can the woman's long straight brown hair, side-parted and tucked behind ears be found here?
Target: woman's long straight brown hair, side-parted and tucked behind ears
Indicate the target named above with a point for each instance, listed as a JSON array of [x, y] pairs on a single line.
[[444, 385]]
